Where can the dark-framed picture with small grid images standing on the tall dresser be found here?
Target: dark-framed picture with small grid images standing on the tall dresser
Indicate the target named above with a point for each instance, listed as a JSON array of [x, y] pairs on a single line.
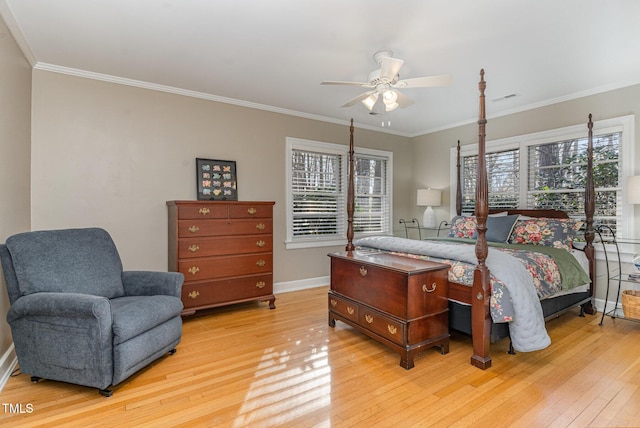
[[216, 180]]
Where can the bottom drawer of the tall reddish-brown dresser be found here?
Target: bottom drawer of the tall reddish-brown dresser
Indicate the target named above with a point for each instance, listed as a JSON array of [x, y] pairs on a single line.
[[215, 293]]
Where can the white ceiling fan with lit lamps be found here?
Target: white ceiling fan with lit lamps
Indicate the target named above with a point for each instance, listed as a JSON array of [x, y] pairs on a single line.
[[384, 83]]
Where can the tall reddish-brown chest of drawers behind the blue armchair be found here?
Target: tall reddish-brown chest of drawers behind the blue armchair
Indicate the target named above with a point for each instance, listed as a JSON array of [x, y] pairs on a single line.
[[225, 251]]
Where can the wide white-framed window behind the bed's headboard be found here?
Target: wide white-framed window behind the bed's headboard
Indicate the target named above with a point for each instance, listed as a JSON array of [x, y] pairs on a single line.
[[548, 170]]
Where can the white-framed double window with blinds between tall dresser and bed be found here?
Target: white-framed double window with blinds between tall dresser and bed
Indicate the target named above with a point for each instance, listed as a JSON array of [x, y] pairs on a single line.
[[317, 193]]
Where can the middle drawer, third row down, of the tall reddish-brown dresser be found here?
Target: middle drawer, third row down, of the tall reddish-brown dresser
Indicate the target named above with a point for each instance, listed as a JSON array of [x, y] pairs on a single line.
[[212, 246]]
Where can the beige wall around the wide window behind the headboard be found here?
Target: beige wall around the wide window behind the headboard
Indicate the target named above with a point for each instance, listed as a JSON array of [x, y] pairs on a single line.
[[430, 150]]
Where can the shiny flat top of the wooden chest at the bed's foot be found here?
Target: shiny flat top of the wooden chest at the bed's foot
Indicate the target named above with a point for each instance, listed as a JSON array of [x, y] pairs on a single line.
[[381, 259]]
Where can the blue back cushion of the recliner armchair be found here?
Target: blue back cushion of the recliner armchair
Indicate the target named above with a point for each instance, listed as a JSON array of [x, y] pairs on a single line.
[[83, 261]]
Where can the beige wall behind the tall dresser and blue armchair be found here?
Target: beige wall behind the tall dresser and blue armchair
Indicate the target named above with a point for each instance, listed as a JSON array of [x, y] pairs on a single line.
[[110, 155]]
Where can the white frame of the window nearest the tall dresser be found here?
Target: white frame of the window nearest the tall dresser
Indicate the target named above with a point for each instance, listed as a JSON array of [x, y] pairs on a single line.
[[342, 150]]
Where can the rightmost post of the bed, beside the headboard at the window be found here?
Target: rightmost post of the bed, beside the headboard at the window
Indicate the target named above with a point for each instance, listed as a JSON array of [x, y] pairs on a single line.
[[589, 209]]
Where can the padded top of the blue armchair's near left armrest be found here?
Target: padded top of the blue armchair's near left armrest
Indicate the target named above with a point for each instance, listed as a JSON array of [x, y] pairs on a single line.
[[61, 305]]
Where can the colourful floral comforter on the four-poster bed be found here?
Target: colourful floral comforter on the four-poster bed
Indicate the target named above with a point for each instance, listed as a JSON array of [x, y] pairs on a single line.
[[543, 270]]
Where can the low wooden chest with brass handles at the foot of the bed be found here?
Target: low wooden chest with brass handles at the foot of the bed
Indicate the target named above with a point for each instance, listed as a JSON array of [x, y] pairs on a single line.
[[398, 301]]
